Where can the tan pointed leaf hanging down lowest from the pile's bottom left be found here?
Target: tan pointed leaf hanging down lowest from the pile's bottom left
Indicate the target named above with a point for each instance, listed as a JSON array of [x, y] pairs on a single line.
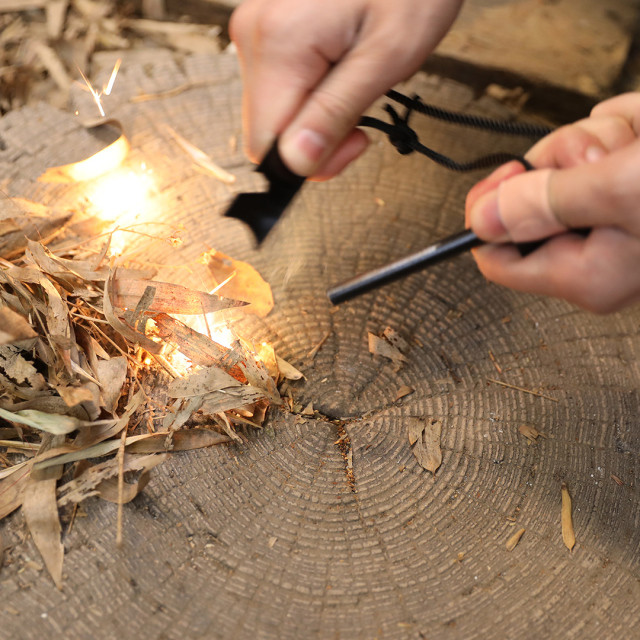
[[41, 512]]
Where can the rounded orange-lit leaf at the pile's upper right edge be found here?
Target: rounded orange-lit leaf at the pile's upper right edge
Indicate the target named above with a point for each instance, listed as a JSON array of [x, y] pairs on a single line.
[[241, 282]]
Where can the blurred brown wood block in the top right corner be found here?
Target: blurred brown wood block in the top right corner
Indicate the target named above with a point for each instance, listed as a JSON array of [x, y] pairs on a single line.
[[579, 45]]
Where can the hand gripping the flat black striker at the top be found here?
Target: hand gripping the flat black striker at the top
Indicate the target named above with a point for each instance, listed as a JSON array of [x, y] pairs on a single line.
[[311, 68]]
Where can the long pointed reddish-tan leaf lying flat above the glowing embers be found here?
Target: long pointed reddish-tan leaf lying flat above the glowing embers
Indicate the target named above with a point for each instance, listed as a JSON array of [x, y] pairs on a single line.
[[168, 298]]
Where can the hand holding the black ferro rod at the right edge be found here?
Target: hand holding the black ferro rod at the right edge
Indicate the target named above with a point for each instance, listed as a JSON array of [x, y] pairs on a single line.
[[587, 176]]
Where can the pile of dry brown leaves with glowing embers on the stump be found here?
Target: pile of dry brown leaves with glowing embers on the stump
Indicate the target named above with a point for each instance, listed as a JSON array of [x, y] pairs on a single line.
[[100, 377]]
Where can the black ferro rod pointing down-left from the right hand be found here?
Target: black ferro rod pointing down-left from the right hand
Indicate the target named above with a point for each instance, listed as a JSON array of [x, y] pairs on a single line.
[[442, 250]]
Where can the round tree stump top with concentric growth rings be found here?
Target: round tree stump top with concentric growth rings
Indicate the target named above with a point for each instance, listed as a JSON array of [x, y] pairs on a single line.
[[273, 538]]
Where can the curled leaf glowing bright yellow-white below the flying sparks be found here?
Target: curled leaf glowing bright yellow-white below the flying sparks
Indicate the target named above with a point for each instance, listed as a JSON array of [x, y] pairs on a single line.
[[109, 158]]
